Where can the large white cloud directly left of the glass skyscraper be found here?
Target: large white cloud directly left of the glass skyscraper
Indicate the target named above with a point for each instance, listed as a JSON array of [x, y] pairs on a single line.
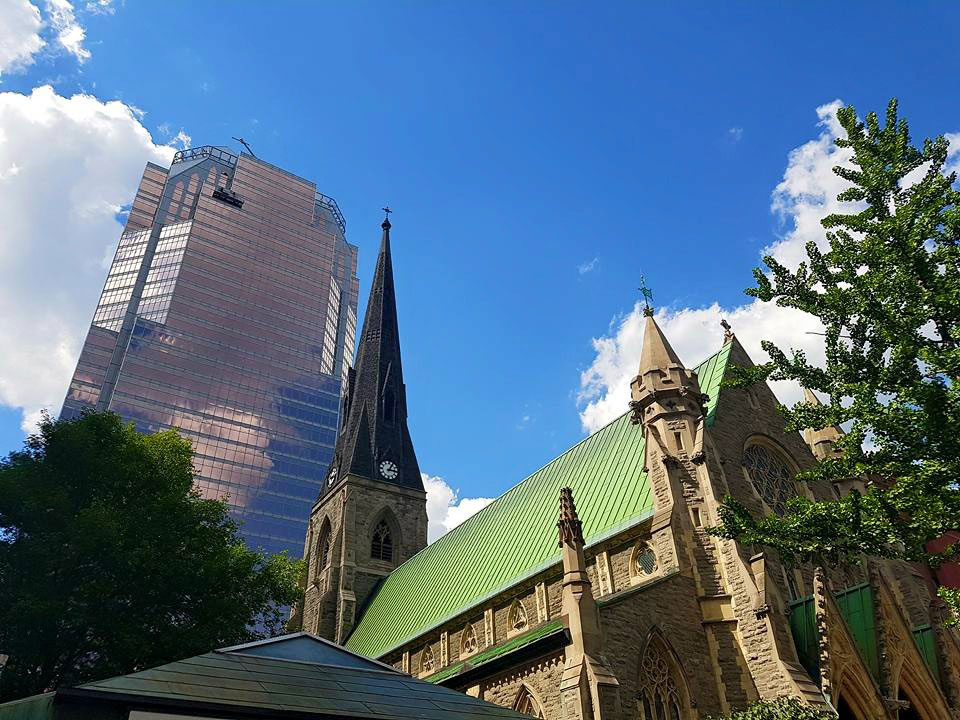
[[77, 161]]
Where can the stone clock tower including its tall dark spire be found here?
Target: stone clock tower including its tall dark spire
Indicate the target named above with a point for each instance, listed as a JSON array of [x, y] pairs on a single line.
[[371, 514]]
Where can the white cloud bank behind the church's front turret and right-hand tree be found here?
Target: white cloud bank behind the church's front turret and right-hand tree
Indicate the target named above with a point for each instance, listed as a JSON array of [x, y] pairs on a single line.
[[805, 195]]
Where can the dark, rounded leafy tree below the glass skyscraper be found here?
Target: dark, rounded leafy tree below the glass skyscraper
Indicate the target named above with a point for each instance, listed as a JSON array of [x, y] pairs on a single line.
[[110, 561]]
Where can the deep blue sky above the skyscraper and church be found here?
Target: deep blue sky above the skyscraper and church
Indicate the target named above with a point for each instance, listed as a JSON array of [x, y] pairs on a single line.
[[539, 157]]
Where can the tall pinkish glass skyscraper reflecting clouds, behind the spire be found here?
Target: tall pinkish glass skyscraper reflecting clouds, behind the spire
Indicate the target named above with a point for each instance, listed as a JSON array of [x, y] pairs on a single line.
[[229, 313]]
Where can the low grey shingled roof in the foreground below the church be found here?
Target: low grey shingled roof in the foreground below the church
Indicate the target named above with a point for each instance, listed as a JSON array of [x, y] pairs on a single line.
[[344, 684]]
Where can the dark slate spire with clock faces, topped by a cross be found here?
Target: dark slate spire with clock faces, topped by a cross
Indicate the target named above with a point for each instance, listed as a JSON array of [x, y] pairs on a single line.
[[374, 442]]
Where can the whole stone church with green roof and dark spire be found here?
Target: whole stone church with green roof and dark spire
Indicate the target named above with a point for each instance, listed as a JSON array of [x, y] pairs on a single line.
[[592, 588]]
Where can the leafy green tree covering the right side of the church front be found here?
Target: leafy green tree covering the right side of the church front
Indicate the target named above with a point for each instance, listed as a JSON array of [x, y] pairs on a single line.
[[887, 290]]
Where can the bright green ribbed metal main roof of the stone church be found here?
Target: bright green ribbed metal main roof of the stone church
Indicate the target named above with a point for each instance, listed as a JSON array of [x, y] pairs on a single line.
[[515, 536]]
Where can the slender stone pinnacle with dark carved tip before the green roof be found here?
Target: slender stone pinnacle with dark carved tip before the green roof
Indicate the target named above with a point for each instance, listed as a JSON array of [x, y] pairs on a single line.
[[588, 688]]
